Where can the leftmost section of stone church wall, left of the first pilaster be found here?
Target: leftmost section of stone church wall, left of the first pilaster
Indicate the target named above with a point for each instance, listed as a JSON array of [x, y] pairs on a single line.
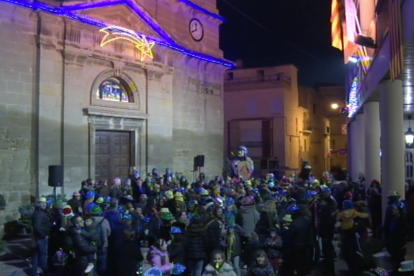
[[17, 74]]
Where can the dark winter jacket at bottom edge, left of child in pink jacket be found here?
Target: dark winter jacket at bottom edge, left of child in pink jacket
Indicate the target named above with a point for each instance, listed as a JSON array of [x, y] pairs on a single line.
[[127, 258]]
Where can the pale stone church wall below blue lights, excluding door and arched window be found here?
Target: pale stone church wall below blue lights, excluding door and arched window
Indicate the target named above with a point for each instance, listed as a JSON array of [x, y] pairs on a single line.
[[49, 68]]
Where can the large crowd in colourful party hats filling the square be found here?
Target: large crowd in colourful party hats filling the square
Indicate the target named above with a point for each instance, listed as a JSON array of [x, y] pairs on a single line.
[[221, 227]]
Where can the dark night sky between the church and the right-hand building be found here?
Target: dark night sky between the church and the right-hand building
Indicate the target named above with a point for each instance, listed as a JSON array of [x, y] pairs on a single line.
[[277, 32]]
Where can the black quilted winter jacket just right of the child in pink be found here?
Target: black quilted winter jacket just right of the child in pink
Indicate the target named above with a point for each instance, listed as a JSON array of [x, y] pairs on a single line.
[[196, 243]]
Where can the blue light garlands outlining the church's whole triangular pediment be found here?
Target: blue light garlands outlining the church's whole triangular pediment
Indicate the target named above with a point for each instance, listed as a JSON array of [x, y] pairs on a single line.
[[67, 12]]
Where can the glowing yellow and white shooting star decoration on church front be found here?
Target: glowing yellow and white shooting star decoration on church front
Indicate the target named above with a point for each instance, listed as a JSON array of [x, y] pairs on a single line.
[[141, 43]]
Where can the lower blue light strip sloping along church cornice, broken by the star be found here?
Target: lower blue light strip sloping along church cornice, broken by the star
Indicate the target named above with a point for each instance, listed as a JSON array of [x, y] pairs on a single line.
[[94, 22]]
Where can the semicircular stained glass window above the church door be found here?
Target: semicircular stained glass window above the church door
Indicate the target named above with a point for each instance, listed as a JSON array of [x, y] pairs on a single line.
[[113, 90]]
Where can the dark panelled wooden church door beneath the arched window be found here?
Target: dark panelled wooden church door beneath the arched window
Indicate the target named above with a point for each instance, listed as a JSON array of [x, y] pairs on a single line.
[[112, 154]]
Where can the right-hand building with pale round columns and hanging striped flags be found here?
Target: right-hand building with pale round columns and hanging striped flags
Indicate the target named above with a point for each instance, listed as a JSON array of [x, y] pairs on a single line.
[[377, 45]]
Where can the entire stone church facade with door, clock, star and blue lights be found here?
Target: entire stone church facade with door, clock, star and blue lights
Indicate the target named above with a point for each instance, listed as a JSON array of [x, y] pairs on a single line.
[[104, 86]]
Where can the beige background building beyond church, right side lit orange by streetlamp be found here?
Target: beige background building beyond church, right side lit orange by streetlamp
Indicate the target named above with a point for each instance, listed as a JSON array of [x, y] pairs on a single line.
[[280, 123]]
